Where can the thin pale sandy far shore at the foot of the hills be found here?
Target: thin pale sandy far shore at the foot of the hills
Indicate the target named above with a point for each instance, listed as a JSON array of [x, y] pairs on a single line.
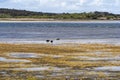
[[53, 20]]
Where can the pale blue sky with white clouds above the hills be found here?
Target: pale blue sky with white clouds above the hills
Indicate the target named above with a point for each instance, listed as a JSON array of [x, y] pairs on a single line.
[[66, 6]]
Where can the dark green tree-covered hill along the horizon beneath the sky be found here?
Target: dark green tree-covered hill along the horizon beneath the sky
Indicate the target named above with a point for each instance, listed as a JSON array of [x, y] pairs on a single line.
[[13, 13]]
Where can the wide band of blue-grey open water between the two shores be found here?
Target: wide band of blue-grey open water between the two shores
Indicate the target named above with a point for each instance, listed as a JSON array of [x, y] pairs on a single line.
[[40, 31]]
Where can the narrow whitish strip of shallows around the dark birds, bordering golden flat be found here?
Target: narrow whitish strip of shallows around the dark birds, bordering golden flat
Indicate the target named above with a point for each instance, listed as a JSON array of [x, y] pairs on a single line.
[[65, 41]]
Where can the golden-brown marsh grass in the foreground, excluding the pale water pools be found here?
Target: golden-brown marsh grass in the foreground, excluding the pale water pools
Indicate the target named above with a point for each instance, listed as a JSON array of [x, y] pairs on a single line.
[[69, 60]]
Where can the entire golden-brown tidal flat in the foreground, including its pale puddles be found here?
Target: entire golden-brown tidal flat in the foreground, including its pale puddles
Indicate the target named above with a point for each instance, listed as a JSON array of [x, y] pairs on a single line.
[[59, 62]]
